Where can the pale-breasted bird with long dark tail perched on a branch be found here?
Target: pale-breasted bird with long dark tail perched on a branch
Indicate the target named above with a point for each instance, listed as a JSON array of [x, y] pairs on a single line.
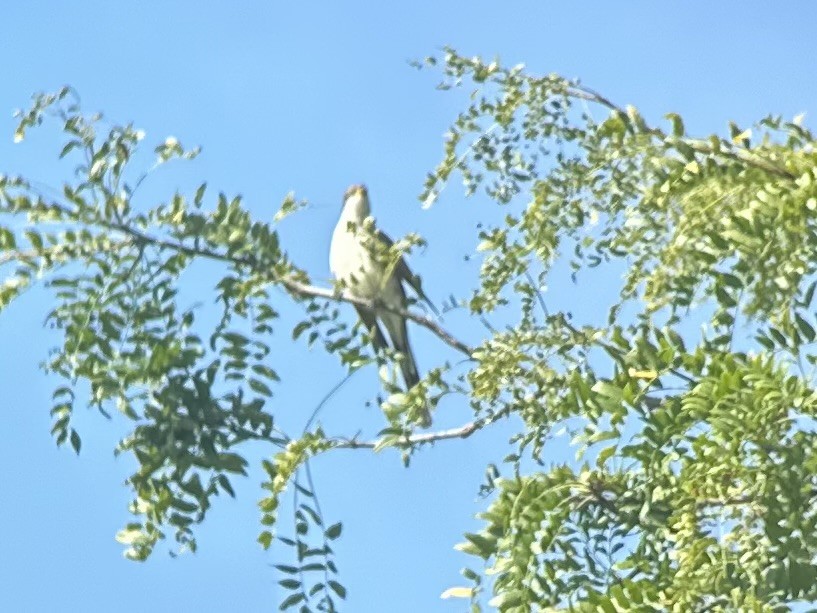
[[357, 259]]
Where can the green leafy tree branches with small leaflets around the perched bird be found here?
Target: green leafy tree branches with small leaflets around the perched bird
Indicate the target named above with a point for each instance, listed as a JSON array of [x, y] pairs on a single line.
[[688, 395]]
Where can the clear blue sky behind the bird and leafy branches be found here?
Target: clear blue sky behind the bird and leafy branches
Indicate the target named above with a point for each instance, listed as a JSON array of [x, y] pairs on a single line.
[[310, 97]]
